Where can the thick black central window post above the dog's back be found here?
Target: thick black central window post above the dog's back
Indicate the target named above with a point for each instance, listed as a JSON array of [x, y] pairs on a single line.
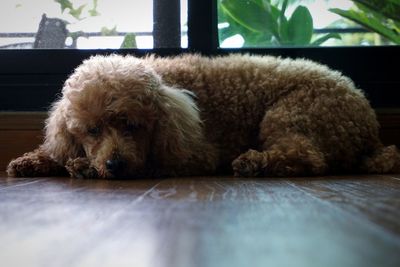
[[202, 26]]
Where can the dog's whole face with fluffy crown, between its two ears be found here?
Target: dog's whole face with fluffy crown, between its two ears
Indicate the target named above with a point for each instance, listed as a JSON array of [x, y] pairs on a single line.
[[112, 115]]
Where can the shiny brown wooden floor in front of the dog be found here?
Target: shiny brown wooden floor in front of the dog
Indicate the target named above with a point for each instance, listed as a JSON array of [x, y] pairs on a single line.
[[206, 221]]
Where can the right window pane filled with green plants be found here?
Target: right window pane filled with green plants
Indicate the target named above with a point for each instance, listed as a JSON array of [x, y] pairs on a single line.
[[266, 23]]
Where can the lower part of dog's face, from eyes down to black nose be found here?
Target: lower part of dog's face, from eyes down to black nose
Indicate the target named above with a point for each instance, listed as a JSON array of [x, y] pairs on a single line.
[[117, 143]]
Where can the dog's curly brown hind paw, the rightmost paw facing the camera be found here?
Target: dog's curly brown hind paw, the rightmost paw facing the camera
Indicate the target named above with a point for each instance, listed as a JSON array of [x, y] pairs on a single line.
[[247, 164]]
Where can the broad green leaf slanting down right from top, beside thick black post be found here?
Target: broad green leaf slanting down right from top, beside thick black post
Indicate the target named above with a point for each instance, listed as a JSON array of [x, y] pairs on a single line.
[[250, 15]]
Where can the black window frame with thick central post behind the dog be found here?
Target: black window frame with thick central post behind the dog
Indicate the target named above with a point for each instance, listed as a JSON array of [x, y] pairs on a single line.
[[30, 80]]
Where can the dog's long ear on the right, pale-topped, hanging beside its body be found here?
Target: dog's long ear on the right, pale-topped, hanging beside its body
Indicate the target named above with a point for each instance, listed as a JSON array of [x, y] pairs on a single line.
[[178, 131]]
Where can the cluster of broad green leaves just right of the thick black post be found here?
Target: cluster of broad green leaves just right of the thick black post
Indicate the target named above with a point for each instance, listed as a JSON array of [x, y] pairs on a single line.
[[264, 23]]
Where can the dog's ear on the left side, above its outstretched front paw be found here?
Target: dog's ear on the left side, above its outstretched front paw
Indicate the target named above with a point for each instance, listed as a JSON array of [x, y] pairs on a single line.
[[60, 144]]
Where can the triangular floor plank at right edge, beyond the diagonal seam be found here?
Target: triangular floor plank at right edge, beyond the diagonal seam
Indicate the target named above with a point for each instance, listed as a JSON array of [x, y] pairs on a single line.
[[376, 198]]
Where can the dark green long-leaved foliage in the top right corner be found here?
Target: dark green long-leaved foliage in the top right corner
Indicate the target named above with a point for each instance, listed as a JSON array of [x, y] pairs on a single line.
[[380, 16]]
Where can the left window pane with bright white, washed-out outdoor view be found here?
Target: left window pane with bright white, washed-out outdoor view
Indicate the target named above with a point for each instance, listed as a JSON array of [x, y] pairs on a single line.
[[82, 24]]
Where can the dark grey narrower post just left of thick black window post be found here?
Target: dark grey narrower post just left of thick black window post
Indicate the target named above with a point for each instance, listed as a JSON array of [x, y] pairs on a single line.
[[166, 24]]
